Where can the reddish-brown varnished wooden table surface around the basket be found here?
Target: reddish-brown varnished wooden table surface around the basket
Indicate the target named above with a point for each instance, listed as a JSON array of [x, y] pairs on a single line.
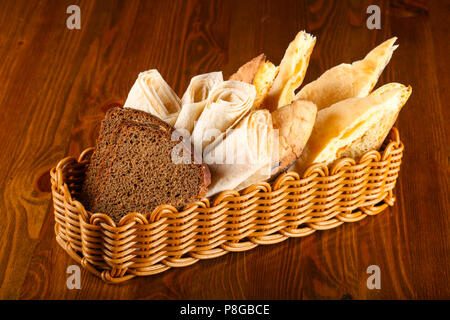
[[56, 85]]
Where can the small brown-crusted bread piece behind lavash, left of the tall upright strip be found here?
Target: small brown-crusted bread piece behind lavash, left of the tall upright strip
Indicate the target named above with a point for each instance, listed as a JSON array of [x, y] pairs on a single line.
[[261, 73]]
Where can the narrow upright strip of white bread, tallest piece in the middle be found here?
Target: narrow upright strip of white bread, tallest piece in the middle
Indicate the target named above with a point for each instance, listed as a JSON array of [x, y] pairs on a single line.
[[292, 71]]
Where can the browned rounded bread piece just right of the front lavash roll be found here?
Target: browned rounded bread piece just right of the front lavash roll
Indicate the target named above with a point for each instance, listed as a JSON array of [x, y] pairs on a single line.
[[294, 123]]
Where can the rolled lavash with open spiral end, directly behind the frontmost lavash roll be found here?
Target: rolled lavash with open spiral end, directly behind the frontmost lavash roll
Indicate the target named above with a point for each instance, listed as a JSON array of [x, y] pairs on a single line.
[[228, 102]]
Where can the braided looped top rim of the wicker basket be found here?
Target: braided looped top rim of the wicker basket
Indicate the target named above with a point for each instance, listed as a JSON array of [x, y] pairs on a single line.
[[331, 171]]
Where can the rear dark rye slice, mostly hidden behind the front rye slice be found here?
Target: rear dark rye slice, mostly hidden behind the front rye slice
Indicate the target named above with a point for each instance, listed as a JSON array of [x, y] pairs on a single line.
[[105, 141]]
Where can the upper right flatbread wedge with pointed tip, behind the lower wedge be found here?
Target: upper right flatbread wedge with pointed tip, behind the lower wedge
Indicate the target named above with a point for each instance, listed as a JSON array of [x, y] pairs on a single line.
[[349, 80]]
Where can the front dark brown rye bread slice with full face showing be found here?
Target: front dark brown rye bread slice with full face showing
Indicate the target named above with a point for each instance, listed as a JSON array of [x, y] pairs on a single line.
[[142, 175]]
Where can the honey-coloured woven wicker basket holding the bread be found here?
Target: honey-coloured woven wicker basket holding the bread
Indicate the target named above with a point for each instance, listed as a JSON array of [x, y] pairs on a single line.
[[265, 213]]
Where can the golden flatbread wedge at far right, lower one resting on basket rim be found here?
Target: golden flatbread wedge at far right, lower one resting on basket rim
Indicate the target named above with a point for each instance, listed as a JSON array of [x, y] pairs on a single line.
[[353, 126]]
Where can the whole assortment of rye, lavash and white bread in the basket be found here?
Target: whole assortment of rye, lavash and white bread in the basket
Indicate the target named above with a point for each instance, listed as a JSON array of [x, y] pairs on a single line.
[[229, 134]]
